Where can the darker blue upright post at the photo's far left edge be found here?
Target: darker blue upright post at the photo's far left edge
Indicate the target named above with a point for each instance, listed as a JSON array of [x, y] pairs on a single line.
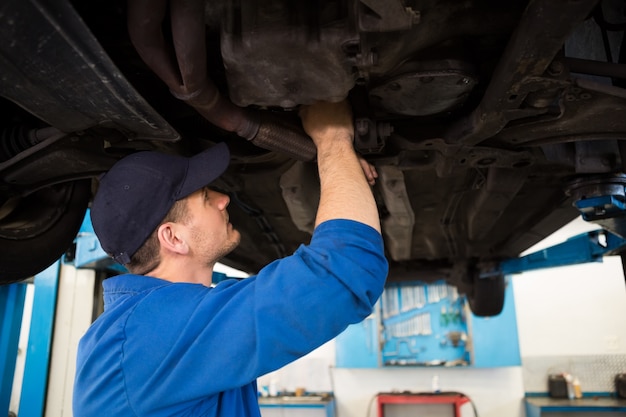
[[11, 311]]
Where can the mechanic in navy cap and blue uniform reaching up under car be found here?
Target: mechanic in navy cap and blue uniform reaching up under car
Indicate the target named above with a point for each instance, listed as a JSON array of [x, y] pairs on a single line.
[[167, 344]]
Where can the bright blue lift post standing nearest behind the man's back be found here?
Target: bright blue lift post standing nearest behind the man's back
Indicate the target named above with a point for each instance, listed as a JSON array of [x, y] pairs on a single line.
[[35, 380]]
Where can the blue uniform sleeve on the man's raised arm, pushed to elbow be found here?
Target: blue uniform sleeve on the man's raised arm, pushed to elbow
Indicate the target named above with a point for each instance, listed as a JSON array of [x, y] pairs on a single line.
[[222, 338]]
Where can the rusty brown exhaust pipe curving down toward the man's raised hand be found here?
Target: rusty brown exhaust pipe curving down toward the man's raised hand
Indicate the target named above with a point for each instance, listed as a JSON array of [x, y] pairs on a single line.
[[182, 66]]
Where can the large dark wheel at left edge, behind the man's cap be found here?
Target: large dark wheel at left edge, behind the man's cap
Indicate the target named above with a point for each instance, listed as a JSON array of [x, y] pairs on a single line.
[[37, 229]]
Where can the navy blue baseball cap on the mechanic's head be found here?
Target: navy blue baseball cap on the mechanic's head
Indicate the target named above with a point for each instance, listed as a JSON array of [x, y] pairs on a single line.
[[134, 196]]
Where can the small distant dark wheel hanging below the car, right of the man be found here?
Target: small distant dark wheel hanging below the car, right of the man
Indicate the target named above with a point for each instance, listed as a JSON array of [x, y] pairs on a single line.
[[486, 298]]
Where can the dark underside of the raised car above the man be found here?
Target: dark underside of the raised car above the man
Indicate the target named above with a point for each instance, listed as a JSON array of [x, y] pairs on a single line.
[[491, 124]]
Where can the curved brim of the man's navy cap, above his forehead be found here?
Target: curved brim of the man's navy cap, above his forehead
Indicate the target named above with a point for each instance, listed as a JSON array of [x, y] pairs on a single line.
[[204, 168]]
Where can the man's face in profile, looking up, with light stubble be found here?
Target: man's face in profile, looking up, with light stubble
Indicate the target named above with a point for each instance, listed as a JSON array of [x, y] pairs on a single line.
[[212, 236]]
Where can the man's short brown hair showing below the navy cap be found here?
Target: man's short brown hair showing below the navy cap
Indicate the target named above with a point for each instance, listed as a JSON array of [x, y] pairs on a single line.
[[147, 257]]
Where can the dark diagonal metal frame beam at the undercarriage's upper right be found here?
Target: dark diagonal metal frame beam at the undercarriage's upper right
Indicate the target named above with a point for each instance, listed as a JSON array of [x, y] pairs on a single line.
[[540, 35]]
